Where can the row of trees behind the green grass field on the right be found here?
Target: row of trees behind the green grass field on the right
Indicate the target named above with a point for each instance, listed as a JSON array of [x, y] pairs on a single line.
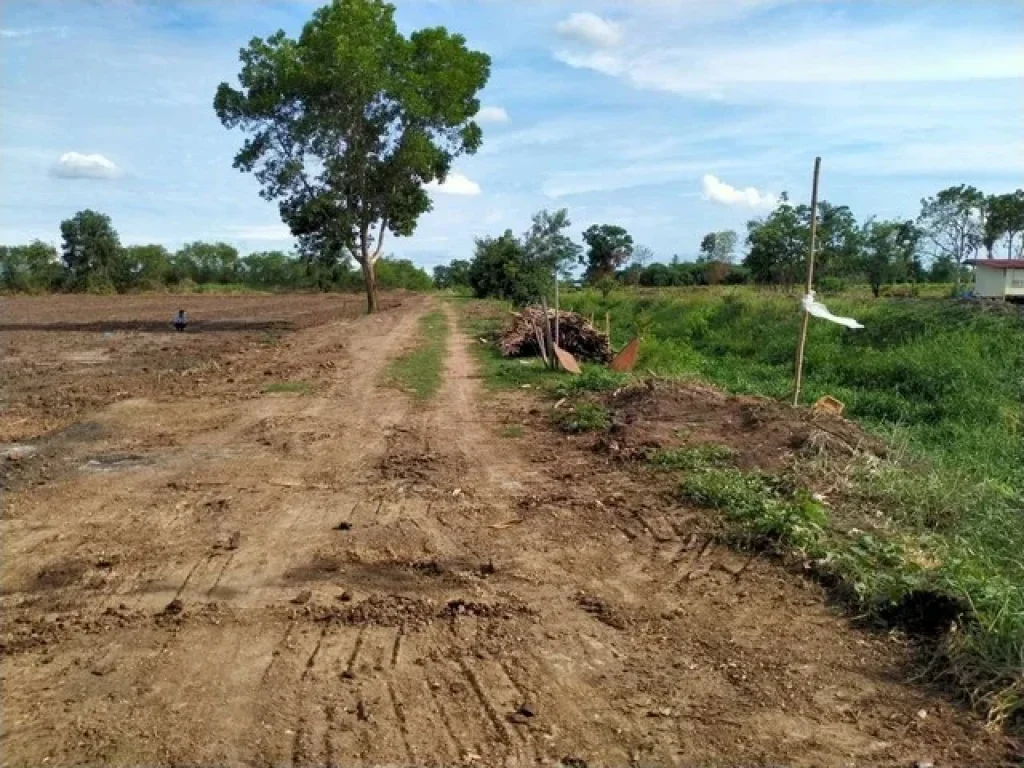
[[957, 225]]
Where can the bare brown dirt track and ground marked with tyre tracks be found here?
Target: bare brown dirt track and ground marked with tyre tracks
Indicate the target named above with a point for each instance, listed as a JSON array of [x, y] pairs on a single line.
[[214, 575]]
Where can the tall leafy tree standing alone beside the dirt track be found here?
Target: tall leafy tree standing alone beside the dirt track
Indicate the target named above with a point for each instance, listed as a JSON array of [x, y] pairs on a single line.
[[349, 123]]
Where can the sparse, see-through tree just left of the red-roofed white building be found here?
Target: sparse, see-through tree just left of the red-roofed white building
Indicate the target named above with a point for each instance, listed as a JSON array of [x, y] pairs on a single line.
[[953, 224]]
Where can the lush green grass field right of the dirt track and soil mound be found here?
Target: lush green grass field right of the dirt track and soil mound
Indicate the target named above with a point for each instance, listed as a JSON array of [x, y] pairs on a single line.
[[943, 382]]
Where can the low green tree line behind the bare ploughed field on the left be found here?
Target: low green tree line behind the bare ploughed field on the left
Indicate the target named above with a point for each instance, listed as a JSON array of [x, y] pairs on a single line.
[[93, 260]]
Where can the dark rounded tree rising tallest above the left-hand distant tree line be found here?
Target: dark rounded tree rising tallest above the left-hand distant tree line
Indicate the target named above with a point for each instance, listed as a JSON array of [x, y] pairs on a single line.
[[91, 249]]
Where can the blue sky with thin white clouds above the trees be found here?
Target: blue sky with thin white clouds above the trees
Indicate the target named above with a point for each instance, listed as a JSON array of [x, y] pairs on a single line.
[[672, 118]]
